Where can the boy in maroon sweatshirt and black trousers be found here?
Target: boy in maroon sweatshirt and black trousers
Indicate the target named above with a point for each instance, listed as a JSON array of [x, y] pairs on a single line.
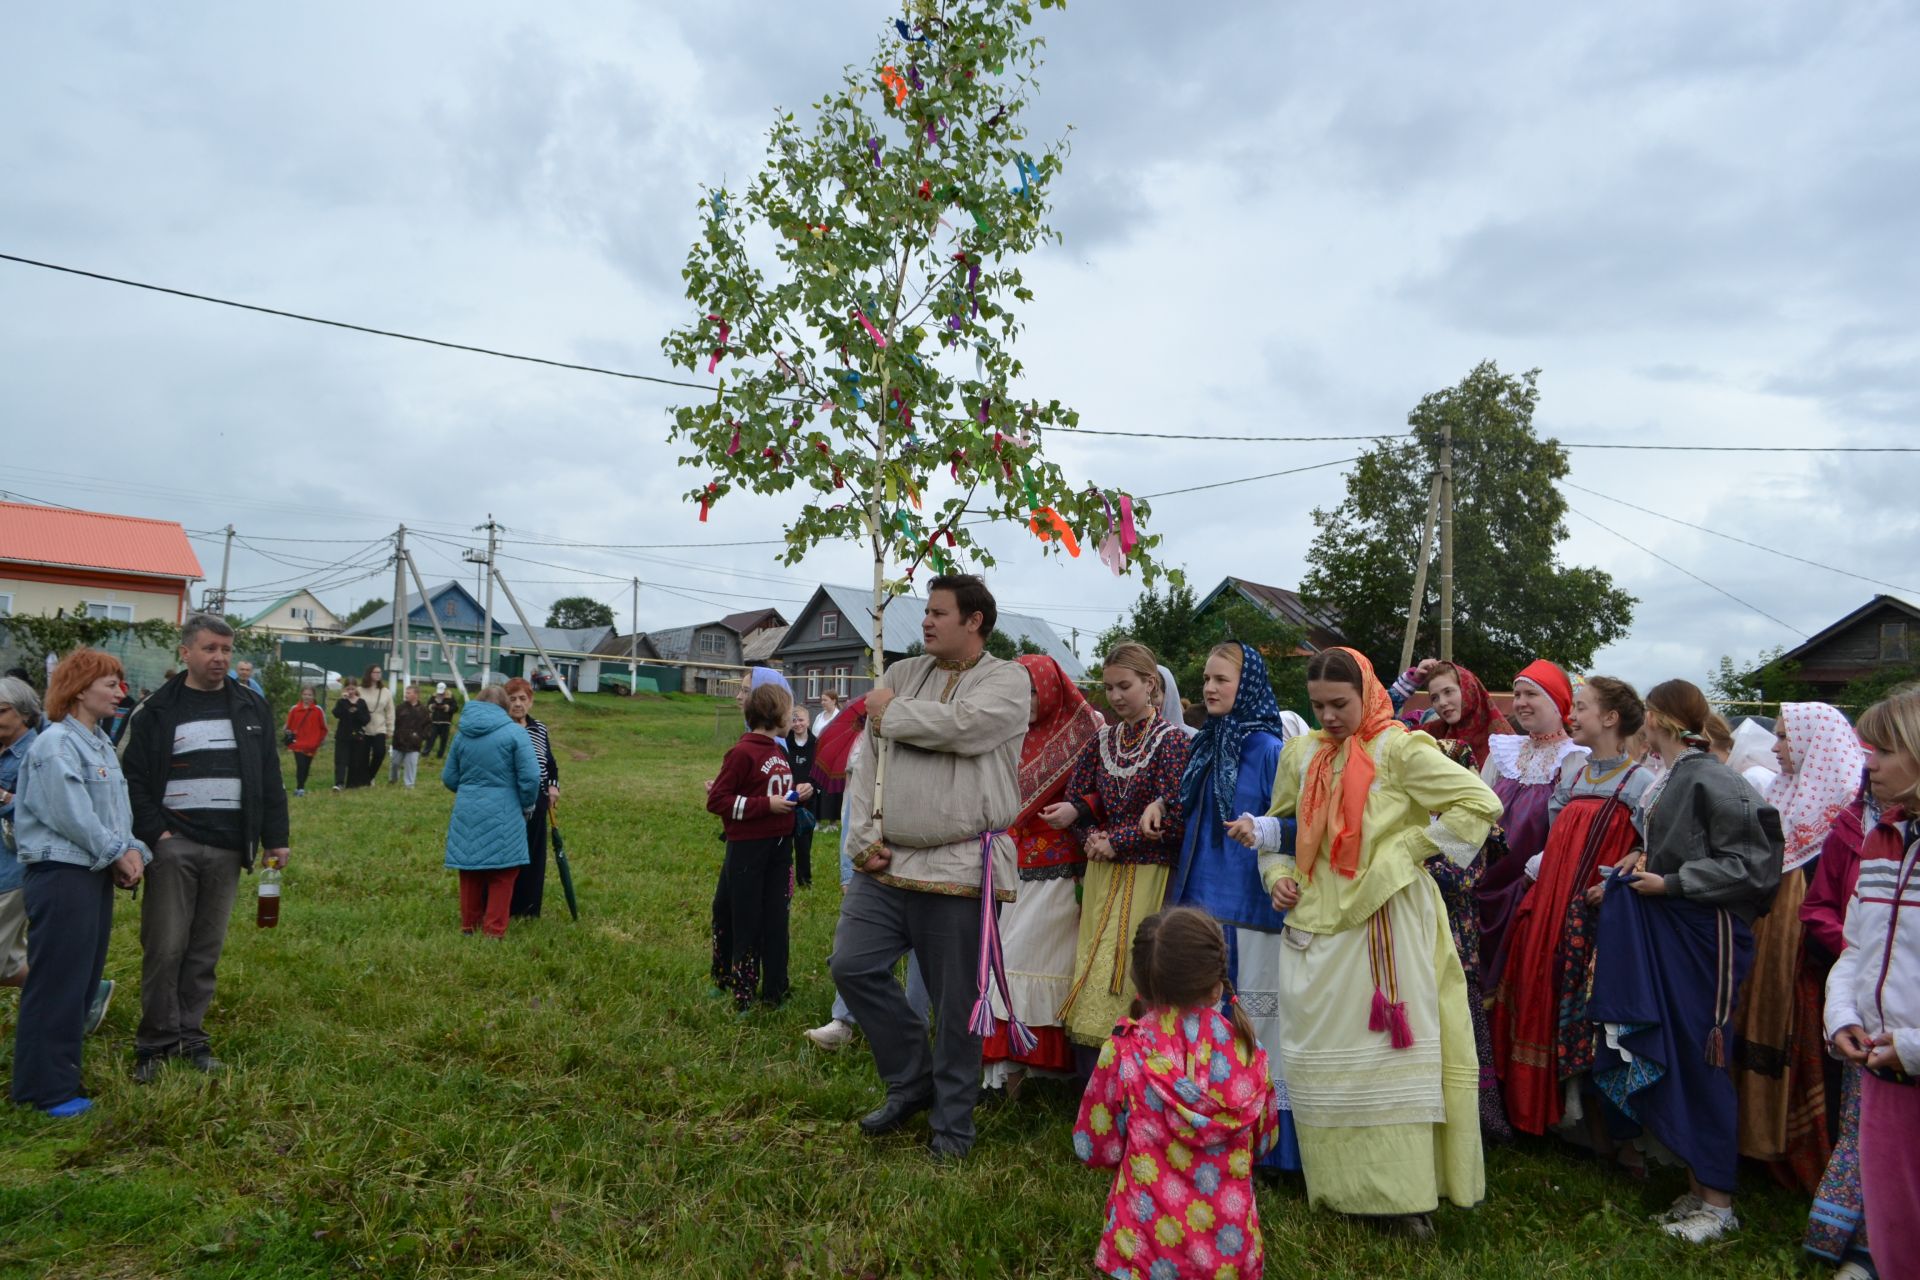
[[756, 799]]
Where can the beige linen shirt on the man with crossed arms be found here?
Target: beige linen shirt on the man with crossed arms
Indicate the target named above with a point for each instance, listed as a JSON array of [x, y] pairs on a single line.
[[951, 738]]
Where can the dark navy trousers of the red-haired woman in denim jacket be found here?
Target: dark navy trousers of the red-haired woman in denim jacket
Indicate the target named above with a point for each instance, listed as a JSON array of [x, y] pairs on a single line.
[[70, 916]]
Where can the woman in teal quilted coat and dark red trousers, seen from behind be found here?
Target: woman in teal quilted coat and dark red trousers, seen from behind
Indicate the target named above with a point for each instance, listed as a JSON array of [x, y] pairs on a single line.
[[494, 782]]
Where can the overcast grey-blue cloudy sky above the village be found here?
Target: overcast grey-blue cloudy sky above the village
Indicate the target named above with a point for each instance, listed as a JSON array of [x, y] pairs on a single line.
[[1280, 220]]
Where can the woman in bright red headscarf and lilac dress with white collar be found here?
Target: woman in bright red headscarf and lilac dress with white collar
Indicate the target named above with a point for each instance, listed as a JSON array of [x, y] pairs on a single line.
[[1524, 770]]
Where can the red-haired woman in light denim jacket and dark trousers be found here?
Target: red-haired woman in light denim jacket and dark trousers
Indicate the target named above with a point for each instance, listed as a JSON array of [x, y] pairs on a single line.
[[74, 826]]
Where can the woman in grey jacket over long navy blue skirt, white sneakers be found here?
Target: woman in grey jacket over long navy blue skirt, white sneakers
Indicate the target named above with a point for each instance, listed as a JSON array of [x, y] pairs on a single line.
[[1673, 945]]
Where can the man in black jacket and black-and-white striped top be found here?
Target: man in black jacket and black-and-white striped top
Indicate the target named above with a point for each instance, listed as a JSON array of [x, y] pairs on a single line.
[[204, 778]]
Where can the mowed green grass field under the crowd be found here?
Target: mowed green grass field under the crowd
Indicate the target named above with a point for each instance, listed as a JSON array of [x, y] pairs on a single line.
[[408, 1102]]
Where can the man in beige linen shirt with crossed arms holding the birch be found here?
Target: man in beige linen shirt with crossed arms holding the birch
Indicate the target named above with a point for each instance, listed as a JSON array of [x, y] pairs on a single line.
[[942, 772]]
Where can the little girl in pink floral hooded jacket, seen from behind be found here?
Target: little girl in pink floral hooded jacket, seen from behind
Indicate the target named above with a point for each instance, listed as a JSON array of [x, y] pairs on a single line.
[[1180, 1106]]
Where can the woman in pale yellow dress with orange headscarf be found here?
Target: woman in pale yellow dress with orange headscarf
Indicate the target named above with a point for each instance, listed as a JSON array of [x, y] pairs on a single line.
[[1376, 1035]]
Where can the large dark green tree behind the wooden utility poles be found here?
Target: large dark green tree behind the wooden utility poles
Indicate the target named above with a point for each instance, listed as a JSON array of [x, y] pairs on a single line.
[[1514, 600]]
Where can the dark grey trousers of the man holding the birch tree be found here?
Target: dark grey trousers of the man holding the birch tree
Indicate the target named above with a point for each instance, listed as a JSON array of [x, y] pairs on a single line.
[[878, 926]]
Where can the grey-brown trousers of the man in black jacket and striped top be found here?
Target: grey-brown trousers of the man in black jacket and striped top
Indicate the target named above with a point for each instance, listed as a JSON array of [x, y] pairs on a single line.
[[187, 901]]
